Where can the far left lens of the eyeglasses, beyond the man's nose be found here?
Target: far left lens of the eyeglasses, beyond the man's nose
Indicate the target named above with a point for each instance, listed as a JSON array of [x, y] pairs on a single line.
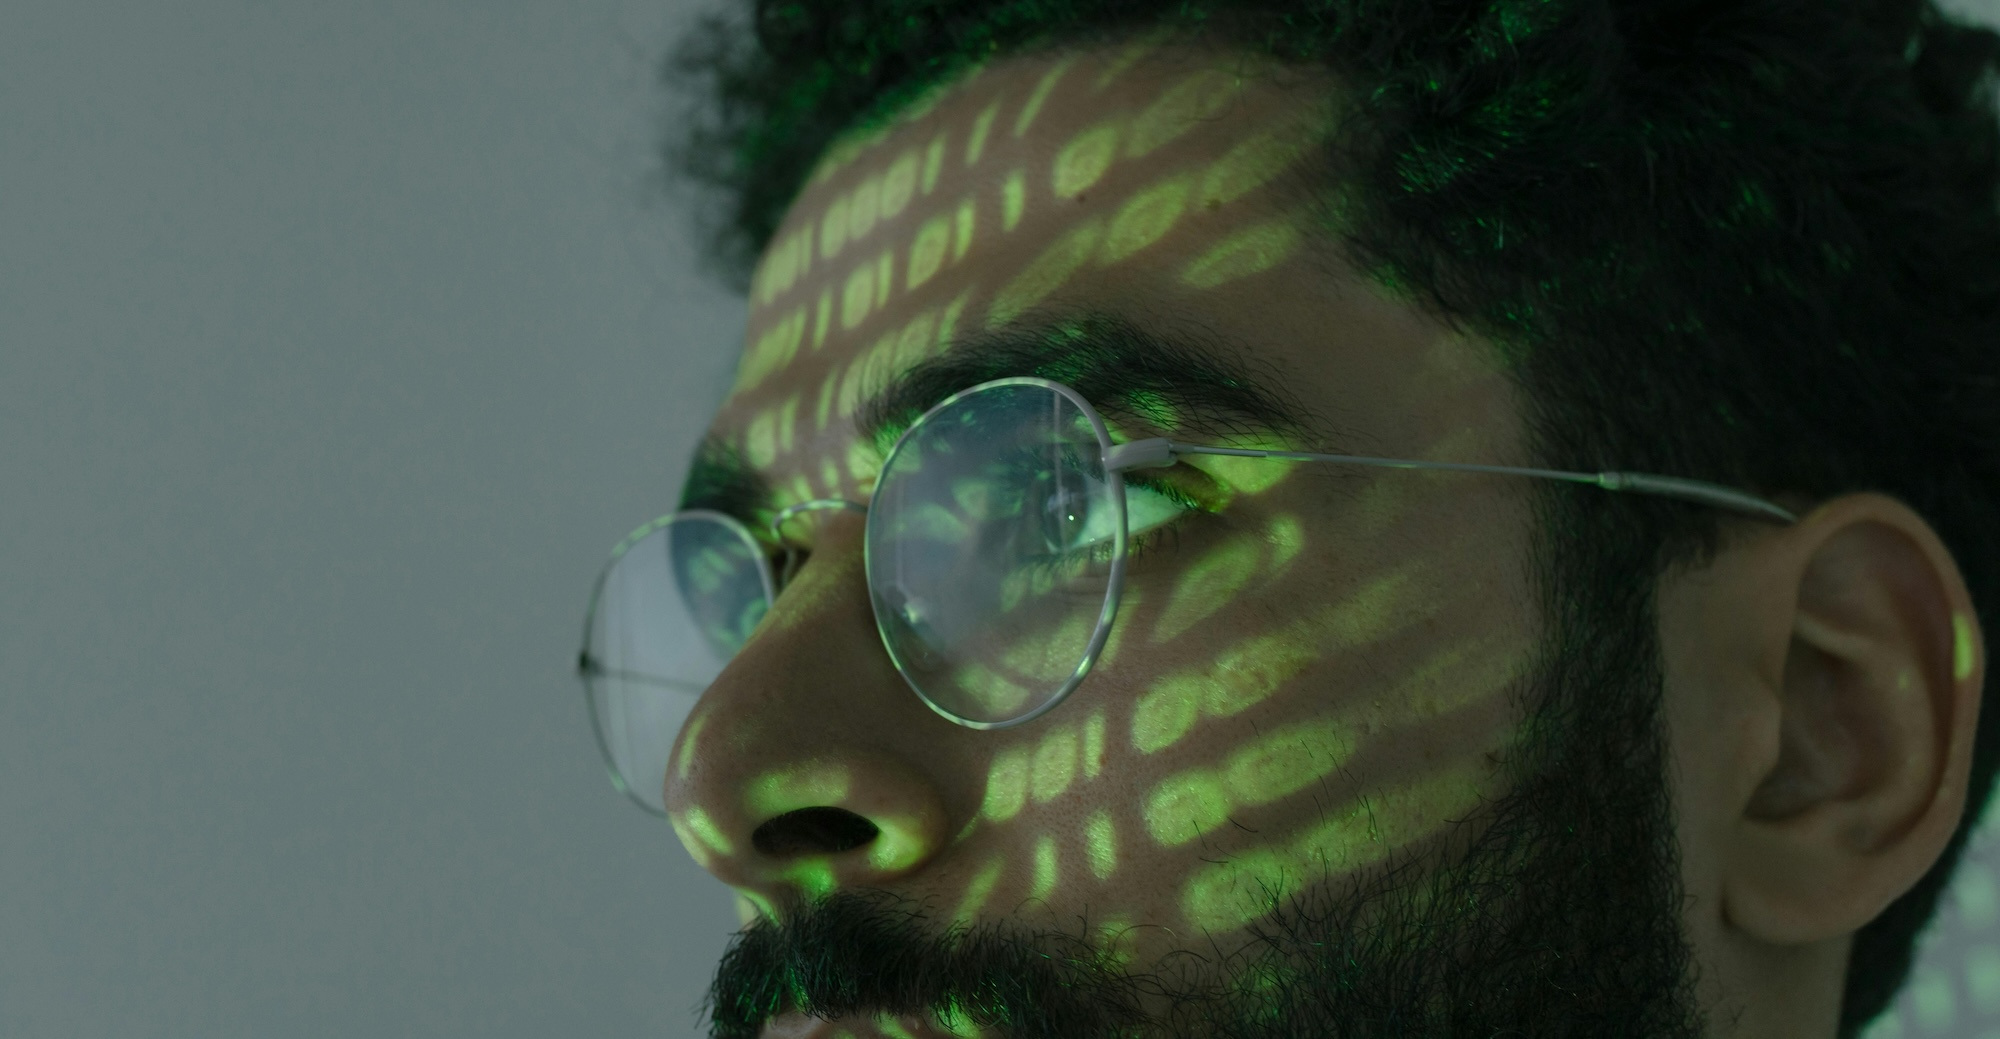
[[671, 610]]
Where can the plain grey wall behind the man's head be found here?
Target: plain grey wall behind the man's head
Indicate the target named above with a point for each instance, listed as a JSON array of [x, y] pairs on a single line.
[[339, 343]]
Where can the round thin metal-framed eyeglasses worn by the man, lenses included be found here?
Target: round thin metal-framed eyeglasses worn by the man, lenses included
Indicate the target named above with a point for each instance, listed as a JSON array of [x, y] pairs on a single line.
[[995, 554]]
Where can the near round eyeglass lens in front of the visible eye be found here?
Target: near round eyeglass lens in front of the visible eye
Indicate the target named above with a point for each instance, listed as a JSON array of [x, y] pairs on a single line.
[[995, 550]]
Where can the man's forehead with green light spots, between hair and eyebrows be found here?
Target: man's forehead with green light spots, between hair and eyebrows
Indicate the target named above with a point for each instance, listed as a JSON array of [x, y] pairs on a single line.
[[1157, 181]]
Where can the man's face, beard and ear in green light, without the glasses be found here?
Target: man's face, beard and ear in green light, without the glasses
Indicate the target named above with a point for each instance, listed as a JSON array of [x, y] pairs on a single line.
[[1305, 790]]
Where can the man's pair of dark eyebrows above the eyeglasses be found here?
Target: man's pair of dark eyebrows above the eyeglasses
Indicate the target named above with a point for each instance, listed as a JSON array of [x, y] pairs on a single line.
[[1181, 379]]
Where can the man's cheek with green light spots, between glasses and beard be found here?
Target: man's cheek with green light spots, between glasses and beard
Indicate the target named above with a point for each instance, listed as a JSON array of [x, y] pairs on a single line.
[[1261, 718]]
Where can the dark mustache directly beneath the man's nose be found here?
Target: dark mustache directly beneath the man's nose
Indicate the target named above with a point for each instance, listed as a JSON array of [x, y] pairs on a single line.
[[873, 952]]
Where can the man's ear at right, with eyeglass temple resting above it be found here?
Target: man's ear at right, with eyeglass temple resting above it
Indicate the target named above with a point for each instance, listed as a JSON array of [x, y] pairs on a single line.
[[1859, 728]]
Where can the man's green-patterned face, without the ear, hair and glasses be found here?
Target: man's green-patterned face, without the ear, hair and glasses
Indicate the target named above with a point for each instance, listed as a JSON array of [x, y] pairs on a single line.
[[1317, 674]]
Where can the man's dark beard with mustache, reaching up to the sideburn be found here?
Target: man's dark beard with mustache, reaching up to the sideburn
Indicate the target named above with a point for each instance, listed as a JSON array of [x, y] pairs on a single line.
[[1555, 912]]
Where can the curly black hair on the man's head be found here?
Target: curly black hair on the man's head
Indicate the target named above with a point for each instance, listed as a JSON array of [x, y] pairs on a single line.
[[1741, 241]]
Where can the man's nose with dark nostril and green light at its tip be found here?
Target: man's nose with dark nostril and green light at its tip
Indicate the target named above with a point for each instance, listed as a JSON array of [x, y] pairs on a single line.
[[801, 770]]
